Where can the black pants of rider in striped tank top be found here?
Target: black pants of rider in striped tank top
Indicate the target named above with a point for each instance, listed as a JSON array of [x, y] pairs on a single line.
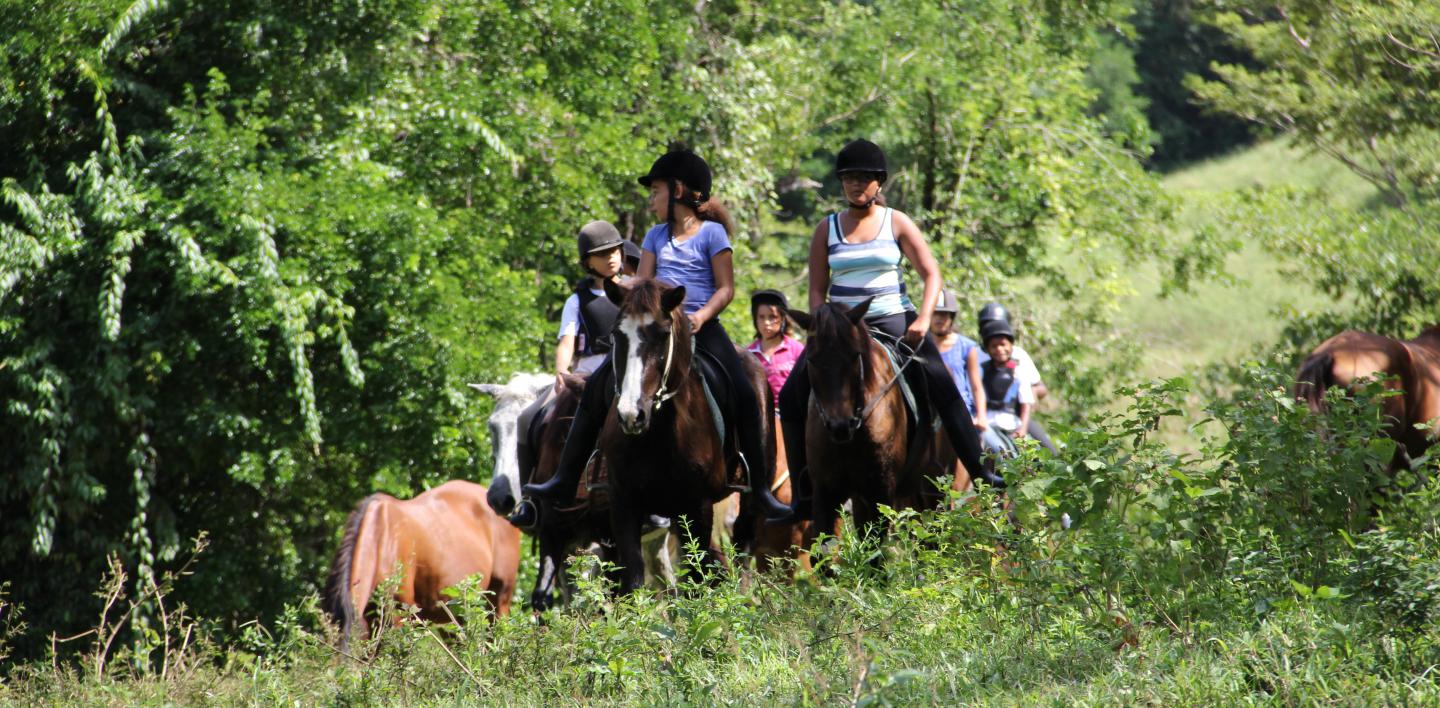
[[928, 378]]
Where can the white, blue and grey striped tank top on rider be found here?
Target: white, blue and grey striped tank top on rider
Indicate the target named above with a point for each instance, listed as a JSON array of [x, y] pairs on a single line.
[[859, 271]]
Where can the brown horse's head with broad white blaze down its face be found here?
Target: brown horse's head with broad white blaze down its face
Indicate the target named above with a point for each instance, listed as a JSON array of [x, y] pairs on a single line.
[[652, 350]]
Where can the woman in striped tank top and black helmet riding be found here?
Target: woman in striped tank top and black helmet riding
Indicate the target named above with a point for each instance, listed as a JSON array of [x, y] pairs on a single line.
[[858, 255]]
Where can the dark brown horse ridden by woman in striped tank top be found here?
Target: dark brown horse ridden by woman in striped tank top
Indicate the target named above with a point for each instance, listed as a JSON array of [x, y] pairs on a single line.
[[859, 434]]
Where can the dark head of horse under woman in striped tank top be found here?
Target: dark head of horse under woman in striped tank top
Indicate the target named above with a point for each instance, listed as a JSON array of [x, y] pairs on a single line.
[[837, 356]]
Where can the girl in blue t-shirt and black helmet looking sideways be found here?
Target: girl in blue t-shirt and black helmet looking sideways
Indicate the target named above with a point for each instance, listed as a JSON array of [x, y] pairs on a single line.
[[692, 248]]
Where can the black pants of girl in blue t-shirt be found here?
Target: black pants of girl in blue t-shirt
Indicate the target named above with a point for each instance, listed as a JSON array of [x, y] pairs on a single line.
[[712, 339]]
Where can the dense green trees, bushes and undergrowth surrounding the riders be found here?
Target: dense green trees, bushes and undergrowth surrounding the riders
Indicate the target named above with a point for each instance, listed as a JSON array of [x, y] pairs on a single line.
[[251, 253]]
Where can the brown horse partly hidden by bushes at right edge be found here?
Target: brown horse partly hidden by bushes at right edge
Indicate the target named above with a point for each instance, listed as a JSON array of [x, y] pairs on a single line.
[[1410, 368]]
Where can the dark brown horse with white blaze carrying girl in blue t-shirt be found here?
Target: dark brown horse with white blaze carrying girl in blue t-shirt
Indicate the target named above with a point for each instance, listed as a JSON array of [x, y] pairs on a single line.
[[660, 440]]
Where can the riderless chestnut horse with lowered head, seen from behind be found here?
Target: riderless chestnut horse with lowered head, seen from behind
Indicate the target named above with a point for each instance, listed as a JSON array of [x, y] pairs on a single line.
[[438, 539]]
